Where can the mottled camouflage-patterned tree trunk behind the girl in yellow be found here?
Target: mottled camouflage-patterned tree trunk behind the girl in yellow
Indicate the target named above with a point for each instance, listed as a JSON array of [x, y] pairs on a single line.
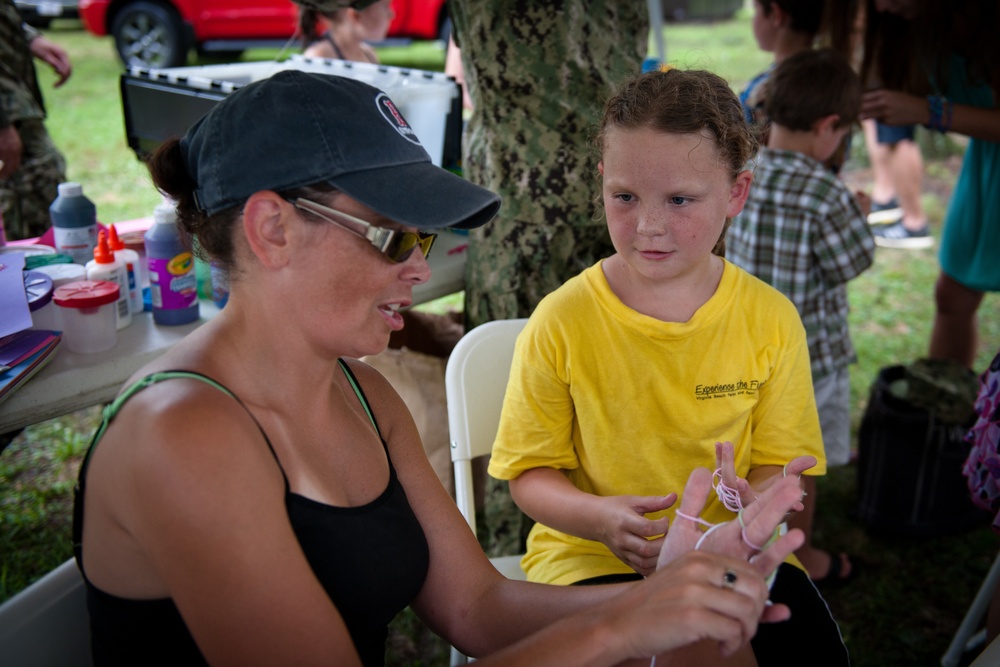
[[538, 73]]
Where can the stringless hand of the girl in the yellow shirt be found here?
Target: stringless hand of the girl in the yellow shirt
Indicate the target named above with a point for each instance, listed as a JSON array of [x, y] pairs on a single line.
[[627, 532]]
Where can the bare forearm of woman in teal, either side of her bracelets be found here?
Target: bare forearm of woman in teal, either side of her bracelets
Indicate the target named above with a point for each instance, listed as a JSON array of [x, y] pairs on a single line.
[[896, 108]]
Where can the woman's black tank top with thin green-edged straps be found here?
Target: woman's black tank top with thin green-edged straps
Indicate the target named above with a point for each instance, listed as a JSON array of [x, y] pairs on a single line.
[[371, 560]]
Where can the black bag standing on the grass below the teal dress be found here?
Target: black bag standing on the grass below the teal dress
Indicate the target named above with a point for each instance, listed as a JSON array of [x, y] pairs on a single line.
[[911, 449]]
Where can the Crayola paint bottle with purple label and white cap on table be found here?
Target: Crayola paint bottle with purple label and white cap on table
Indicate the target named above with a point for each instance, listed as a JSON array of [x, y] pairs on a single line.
[[172, 280]]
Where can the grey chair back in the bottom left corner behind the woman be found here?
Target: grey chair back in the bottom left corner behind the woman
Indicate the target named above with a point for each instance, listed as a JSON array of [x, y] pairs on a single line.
[[46, 624]]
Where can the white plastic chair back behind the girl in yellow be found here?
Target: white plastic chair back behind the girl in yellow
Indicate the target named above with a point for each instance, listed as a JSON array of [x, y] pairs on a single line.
[[475, 382]]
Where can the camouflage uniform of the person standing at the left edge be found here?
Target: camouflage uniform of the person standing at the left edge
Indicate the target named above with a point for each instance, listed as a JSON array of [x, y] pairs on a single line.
[[25, 197]]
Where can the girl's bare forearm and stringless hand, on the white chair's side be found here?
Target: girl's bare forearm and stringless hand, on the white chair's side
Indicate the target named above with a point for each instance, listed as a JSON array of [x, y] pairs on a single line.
[[619, 522]]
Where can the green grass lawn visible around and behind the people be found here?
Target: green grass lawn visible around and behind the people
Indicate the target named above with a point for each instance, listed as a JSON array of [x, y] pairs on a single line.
[[912, 593]]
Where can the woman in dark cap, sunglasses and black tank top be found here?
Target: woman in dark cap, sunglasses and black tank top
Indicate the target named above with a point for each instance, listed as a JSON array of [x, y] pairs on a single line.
[[258, 496]]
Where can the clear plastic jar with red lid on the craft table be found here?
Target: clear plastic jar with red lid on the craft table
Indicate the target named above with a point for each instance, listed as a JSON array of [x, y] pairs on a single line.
[[87, 310]]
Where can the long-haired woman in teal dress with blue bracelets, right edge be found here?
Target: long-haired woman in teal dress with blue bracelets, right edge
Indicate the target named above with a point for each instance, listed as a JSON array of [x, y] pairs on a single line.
[[940, 65]]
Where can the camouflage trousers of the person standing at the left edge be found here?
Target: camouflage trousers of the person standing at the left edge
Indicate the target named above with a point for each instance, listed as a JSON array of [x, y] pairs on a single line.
[[25, 197]]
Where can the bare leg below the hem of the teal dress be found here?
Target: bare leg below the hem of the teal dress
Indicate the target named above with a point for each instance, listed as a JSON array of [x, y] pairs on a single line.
[[956, 325]]
